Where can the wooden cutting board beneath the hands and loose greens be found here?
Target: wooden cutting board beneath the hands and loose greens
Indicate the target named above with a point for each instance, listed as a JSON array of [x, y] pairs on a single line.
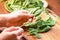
[[53, 34]]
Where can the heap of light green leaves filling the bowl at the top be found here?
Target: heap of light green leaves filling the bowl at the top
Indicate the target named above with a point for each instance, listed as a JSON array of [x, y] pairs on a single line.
[[13, 5]]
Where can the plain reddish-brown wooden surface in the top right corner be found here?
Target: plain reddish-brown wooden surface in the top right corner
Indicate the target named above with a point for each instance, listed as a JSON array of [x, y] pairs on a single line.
[[54, 5]]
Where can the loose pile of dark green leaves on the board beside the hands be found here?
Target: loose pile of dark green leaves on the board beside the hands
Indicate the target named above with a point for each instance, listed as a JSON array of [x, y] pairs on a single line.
[[38, 25]]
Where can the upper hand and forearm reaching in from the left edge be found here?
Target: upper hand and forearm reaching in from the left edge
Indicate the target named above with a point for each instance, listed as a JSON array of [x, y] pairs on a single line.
[[15, 18]]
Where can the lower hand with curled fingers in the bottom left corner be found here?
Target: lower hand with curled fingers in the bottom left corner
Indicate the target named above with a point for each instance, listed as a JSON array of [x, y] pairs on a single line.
[[12, 33]]
